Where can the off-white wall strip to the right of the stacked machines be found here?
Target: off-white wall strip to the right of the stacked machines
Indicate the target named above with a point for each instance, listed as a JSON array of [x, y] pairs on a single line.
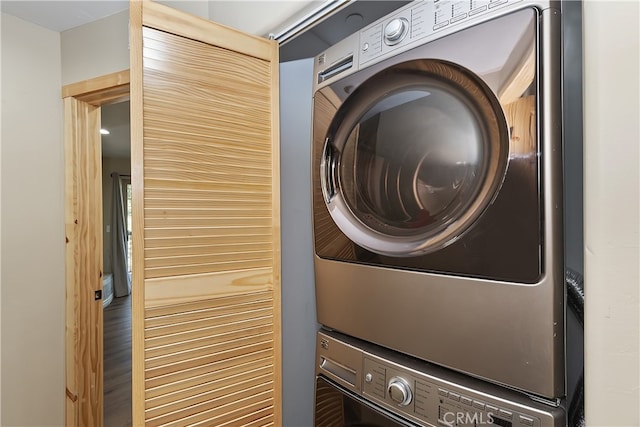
[[612, 219]]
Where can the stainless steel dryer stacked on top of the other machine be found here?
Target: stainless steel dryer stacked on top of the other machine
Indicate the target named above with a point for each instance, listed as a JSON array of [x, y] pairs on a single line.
[[437, 199]]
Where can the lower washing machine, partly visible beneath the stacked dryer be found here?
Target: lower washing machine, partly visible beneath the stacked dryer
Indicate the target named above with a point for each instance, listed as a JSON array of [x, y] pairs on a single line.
[[360, 384]]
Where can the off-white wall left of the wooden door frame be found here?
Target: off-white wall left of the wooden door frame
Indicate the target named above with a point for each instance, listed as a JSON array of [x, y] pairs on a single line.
[[33, 290]]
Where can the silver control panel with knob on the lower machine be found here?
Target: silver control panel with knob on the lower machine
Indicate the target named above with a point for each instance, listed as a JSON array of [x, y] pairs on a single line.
[[426, 394]]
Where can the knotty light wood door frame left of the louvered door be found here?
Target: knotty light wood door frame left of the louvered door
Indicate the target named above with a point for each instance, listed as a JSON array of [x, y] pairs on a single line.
[[83, 230]]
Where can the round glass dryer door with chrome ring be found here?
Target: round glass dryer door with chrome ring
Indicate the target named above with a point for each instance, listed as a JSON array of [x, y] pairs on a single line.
[[413, 158]]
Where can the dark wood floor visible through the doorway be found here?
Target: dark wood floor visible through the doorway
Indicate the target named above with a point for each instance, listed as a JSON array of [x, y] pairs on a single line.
[[117, 363]]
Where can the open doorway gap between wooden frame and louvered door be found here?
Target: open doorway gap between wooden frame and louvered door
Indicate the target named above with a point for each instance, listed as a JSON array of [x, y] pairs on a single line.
[[117, 251]]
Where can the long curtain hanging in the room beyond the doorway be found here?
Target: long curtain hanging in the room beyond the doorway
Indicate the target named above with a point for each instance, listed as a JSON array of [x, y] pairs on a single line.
[[121, 279]]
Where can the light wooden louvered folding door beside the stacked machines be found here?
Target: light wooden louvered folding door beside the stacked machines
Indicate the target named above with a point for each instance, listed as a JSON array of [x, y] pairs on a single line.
[[206, 245]]
